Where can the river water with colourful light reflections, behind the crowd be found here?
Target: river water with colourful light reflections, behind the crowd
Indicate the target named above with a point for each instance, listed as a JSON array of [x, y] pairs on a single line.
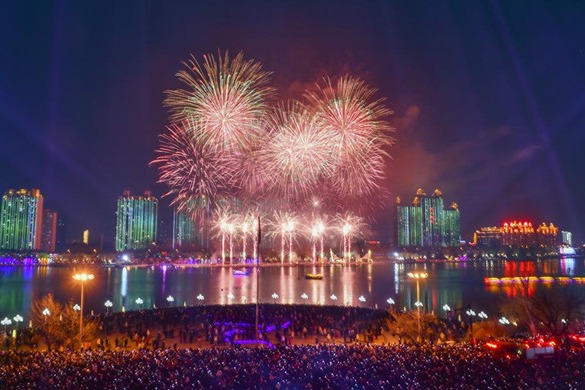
[[457, 284]]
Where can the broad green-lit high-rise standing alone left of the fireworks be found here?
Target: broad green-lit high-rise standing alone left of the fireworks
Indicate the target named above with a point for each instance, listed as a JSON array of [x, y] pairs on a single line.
[[136, 221]]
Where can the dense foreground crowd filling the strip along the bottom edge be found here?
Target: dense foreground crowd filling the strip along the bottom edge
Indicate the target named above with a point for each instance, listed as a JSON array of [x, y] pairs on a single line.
[[323, 366]]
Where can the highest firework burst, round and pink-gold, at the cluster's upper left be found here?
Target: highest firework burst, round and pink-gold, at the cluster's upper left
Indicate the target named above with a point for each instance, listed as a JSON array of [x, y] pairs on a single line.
[[225, 99]]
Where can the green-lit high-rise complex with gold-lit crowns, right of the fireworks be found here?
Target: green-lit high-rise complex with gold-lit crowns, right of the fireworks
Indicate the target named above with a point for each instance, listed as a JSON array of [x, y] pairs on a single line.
[[426, 223]]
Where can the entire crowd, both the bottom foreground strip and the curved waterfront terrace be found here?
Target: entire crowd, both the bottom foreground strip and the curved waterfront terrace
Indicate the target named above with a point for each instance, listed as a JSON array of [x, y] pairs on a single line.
[[299, 347]]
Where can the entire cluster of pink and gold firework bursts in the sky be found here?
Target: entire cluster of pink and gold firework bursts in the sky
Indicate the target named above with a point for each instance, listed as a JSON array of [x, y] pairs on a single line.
[[228, 140]]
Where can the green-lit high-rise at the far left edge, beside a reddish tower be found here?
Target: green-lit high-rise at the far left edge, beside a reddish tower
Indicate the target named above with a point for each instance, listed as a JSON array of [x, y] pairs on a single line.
[[21, 220]]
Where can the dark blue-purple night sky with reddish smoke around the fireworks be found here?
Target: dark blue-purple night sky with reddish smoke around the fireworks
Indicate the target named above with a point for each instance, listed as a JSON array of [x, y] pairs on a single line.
[[489, 97]]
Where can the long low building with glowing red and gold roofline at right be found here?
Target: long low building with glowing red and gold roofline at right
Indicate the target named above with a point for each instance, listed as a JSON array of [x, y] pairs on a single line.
[[518, 235]]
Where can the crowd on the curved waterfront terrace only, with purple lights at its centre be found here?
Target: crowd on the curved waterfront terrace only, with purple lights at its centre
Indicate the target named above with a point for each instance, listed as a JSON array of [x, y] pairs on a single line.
[[225, 325]]
